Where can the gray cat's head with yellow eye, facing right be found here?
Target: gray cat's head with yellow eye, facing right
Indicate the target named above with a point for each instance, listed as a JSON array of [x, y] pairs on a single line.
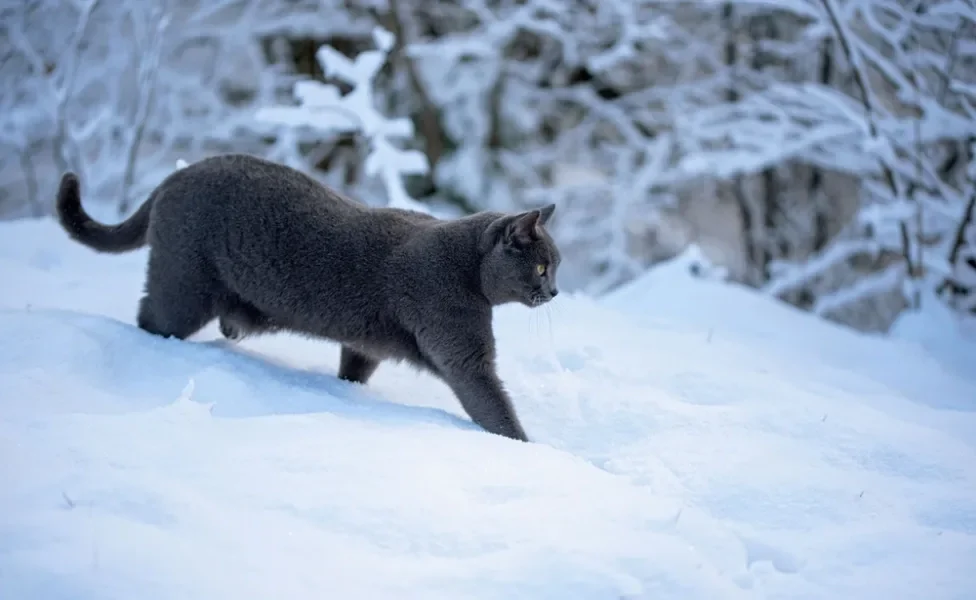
[[520, 259]]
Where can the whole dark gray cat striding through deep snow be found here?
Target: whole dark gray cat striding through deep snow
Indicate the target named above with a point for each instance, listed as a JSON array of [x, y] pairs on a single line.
[[263, 247]]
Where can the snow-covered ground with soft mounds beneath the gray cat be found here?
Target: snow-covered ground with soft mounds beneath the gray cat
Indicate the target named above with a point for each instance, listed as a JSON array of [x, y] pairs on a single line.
[[692, 441]]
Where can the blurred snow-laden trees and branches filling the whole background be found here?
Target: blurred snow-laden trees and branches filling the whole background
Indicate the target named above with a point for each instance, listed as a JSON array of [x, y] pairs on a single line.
[[816, 148]]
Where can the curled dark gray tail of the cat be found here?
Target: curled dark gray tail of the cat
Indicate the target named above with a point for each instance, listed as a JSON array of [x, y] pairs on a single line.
[[123, 237]]
